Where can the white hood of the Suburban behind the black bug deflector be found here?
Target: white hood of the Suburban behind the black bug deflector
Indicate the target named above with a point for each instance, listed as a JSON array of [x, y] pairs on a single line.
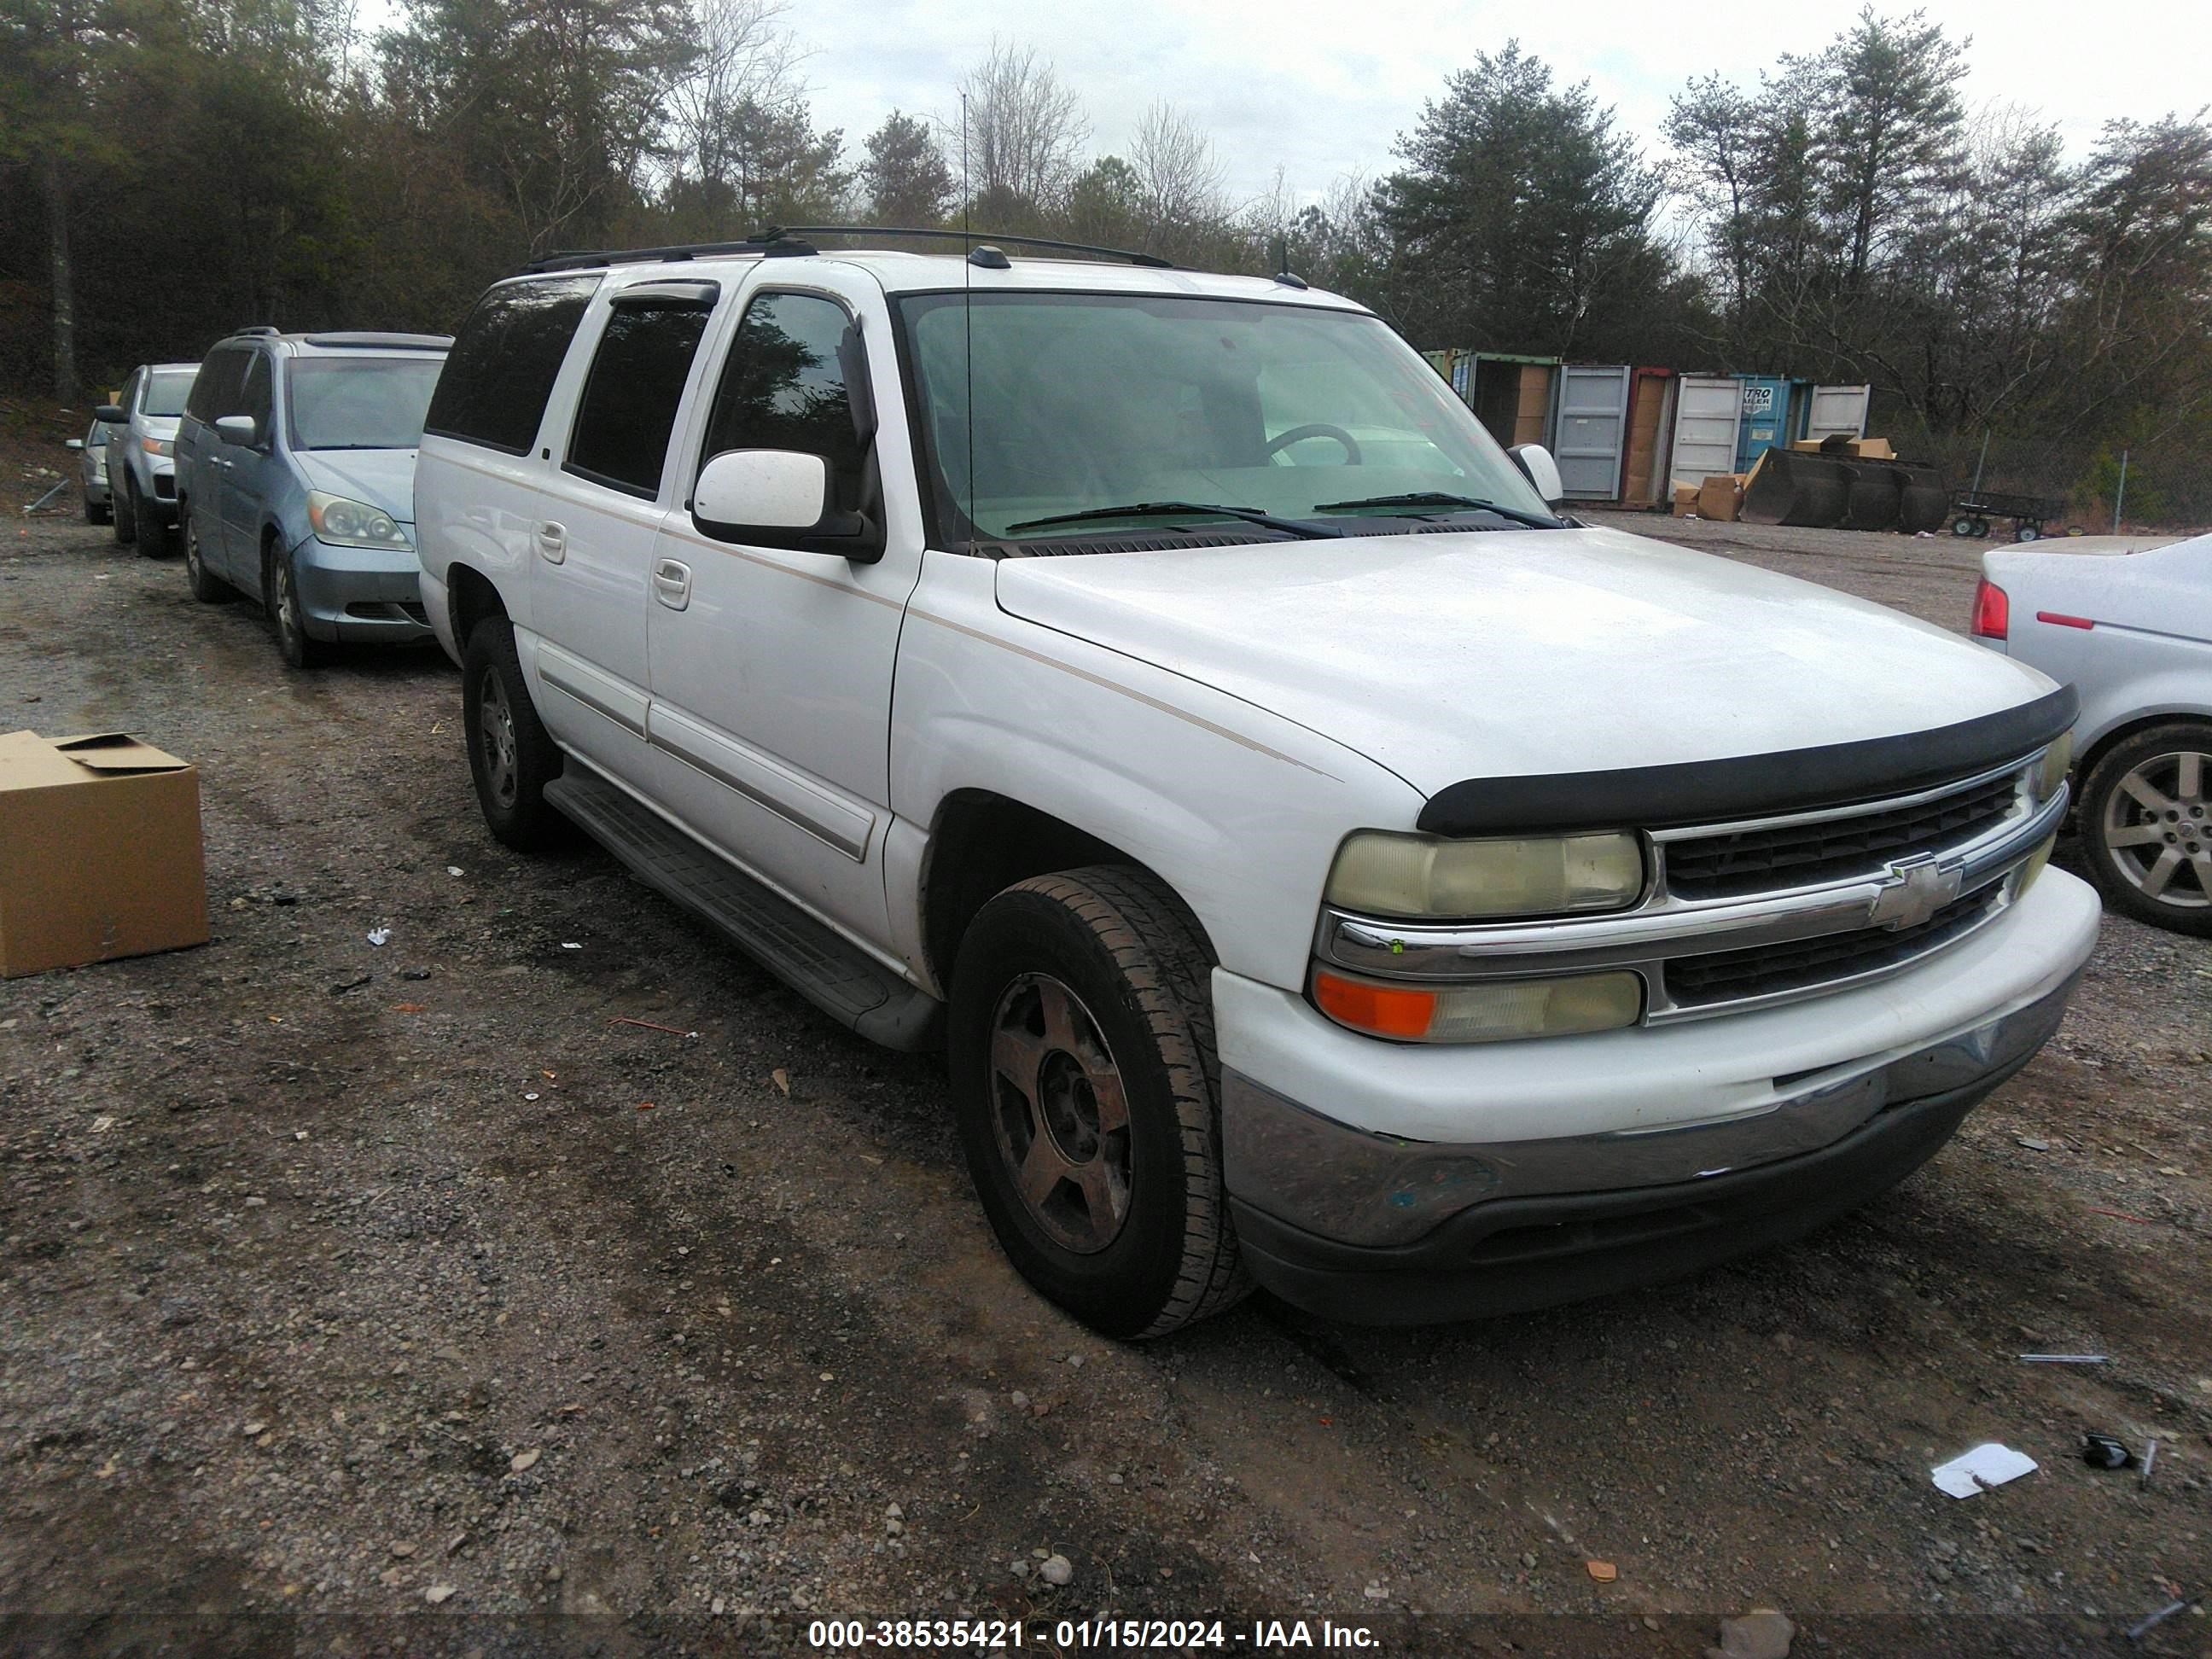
[[1519, 654]]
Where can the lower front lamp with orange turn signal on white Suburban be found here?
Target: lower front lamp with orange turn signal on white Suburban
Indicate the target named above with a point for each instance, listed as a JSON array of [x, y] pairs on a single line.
[[1481, 1012]]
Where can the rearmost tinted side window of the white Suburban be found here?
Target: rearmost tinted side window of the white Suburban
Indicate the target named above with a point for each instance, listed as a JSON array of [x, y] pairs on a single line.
[[505, 359]]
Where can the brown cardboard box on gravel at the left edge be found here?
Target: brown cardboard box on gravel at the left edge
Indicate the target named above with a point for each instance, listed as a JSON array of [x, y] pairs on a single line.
[[101, 853]]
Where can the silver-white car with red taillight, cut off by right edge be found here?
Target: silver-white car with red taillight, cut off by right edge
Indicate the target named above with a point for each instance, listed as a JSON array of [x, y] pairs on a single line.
[[2133, 634]]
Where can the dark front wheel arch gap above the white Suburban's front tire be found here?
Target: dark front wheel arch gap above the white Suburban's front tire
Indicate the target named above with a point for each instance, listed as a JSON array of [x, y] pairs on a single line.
[[983, 844]]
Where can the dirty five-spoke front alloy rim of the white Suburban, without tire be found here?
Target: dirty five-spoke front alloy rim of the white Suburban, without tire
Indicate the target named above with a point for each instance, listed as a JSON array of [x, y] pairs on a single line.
[[1061, 1114]]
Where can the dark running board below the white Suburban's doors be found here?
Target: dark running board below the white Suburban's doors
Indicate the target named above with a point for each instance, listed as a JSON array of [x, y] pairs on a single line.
[[815, 961]]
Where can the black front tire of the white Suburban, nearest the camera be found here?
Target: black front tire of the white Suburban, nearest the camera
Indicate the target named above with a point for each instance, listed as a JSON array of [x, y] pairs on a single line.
[[1138, 1010]]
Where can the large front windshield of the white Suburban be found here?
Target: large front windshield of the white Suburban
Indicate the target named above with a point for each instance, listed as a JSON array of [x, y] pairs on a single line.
[[1107, 401]]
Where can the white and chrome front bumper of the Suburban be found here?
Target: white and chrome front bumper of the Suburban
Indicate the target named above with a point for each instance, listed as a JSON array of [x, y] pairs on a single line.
[[1729, 1136]]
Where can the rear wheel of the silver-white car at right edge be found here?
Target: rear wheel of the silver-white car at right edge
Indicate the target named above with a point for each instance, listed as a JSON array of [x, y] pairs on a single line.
[[2125, 837]]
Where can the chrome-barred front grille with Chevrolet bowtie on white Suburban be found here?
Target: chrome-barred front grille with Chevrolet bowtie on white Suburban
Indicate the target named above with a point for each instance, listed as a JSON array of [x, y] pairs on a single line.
[[1762, 910]]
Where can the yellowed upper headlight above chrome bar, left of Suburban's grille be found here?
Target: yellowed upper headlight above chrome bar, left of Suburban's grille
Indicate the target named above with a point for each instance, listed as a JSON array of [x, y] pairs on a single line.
[[1390, 875]]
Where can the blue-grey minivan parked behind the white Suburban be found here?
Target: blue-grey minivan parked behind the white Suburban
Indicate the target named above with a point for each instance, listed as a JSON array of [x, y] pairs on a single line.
[[295, 483]]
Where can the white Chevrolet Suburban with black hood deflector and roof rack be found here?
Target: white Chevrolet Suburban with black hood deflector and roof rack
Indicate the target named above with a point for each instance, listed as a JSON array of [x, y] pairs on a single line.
[[1322, 864]]
